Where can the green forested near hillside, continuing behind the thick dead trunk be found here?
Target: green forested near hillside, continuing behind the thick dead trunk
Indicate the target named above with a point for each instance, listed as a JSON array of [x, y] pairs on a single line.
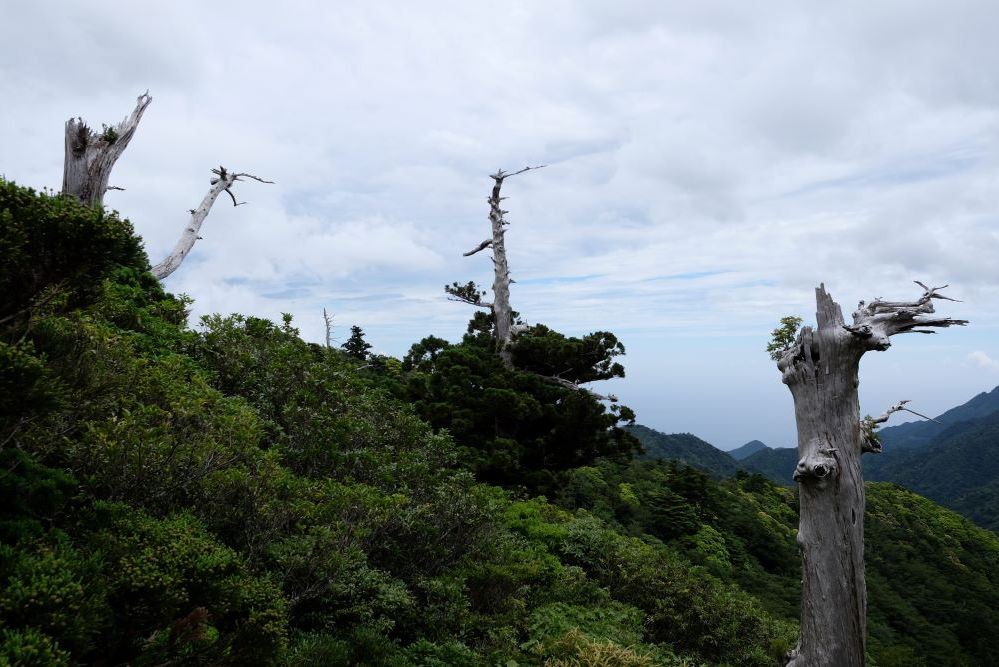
[[232, 494]]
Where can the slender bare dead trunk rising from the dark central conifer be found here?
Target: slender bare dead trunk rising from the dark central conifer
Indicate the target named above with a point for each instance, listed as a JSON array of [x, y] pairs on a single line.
[[500, 306]]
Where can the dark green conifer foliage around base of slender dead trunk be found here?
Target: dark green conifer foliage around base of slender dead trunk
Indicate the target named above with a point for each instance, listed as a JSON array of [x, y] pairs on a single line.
[[516, 427]]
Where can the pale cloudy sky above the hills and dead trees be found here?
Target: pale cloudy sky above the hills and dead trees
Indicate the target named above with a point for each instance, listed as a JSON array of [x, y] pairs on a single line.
[[708, 165]]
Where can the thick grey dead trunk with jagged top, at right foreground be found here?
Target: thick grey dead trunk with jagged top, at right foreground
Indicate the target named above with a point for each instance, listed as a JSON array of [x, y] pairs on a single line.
[[820, 369]]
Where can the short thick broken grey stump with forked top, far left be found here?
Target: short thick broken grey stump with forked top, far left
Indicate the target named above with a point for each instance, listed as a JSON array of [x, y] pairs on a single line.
[[91, 156]]
